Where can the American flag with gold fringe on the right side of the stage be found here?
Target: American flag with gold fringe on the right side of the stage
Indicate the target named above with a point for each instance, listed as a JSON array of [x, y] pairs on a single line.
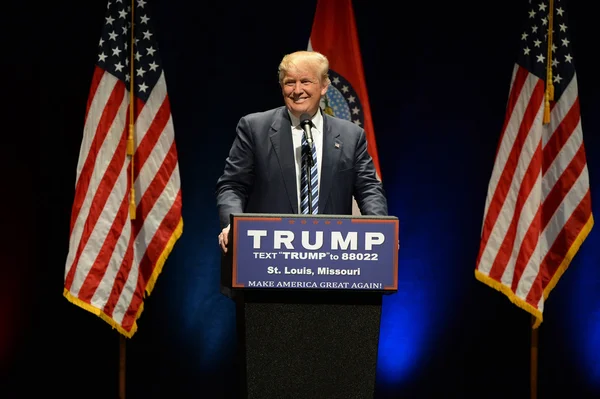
[[538, 207]]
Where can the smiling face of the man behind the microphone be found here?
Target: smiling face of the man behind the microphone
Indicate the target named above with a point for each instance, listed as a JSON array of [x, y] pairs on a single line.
[[302, 91]]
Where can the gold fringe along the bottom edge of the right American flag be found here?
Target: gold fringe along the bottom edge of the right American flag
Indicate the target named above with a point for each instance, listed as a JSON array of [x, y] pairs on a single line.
[[559, 272]]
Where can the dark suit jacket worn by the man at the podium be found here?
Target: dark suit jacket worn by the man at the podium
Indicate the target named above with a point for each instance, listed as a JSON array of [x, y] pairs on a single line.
[[260, 171]]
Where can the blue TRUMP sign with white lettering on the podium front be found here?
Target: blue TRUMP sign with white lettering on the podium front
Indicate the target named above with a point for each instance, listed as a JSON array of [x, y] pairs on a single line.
[[322, 252]]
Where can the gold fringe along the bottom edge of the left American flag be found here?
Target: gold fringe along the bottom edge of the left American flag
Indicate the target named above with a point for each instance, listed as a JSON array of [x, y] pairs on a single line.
[[149, 287]]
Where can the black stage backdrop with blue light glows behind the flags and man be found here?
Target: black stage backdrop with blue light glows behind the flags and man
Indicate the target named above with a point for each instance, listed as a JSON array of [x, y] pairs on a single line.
[[438, 76]]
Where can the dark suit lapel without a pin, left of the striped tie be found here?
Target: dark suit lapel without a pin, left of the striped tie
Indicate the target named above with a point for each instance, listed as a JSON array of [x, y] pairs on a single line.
[[281, 139]]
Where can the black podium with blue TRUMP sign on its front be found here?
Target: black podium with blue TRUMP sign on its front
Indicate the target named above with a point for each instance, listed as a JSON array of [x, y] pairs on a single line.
[[308, 292]]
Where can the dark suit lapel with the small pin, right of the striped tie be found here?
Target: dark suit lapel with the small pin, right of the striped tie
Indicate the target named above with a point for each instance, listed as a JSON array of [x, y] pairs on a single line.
[[332, 148]]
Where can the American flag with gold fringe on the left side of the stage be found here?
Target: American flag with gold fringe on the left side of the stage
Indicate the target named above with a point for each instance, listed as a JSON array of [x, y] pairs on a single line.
[[116, 253]]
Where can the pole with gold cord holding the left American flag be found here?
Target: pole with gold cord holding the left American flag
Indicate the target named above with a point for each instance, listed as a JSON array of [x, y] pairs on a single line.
[[130, 153]]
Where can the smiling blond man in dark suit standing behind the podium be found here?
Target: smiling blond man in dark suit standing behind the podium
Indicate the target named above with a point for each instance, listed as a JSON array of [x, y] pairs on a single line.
[[263, 170]]
